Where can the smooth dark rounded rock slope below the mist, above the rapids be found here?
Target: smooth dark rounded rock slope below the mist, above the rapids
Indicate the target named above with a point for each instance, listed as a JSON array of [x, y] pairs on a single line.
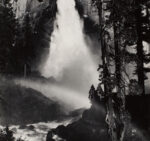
[[19, 105]]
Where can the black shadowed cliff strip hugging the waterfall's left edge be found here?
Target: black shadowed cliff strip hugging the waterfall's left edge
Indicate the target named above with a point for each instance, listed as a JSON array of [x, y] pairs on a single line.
[[44, 29]]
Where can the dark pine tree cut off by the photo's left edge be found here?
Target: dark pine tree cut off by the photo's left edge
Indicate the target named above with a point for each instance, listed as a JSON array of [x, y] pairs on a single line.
[[7, 34]]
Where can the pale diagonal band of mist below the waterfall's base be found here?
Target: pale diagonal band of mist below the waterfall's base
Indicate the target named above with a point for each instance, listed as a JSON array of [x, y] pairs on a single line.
[[69, 99]]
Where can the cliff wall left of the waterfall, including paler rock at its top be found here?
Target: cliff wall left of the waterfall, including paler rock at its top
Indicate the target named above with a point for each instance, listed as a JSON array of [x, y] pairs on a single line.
[[42, 16]]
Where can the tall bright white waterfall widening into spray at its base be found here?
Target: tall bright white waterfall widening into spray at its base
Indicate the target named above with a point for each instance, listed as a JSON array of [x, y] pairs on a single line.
[[69, 60]]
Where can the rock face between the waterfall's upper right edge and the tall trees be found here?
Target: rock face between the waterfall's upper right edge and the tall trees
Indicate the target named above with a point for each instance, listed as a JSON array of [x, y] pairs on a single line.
[[89, 15]]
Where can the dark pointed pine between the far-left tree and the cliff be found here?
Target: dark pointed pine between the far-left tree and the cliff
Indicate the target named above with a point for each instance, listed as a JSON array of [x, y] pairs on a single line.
[[23, 52]]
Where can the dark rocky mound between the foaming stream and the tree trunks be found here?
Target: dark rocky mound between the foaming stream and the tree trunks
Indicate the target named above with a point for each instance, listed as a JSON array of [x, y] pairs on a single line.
[[91, 127]]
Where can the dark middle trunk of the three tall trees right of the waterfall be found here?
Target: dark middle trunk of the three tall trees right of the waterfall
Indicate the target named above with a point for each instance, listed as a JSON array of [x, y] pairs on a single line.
[[119, 112]]
